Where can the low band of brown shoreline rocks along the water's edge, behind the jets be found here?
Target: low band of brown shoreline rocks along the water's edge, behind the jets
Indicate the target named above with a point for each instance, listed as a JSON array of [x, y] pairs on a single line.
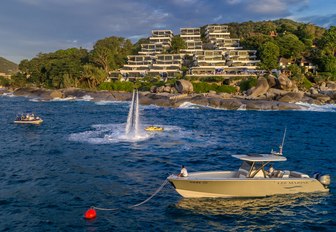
[[220, 101]]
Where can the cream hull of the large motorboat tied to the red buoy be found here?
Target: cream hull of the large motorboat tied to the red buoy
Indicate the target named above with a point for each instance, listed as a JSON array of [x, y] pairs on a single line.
[[244, 187]]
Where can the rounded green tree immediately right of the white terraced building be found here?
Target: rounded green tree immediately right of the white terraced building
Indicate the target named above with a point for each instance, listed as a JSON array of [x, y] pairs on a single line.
[[269, 55]]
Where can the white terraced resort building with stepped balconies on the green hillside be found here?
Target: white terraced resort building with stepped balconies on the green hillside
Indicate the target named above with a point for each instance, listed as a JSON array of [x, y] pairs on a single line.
[[216, 54]]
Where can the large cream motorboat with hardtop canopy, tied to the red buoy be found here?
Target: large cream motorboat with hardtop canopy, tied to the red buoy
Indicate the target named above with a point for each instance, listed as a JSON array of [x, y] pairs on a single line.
[[250, 180]]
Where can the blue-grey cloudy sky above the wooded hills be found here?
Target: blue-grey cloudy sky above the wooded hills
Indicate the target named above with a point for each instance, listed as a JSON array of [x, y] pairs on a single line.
[[30, 27]]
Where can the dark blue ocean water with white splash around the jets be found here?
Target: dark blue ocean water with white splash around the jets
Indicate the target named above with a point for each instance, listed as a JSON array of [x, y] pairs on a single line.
[[79, 157]]
